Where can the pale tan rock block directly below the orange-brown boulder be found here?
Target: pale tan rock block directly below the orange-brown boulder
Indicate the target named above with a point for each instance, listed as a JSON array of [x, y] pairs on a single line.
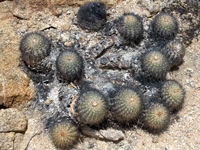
[[12, 120]]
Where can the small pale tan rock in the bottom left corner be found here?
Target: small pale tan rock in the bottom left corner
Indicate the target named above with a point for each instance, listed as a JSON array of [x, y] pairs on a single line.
[[6, 141]]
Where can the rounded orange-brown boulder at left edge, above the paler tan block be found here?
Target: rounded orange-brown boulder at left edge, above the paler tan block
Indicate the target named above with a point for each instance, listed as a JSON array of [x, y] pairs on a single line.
[[16, 90]]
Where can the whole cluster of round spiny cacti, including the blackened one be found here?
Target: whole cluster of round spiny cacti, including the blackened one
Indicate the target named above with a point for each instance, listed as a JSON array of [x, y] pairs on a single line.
[[127, 103]]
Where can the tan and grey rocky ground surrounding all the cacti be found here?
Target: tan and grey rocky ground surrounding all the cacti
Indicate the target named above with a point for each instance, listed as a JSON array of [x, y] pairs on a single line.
[[28, 99]]
